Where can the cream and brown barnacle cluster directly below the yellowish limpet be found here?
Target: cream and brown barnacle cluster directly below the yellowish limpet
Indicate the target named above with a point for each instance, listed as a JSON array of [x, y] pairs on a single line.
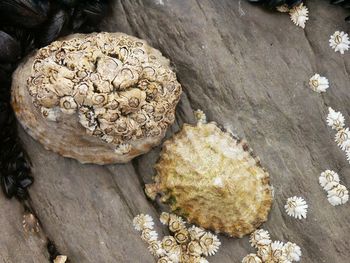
[[184, 245]]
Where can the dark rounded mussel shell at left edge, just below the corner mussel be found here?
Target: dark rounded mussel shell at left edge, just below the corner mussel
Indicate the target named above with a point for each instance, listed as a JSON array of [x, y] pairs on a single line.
[[10, 49]]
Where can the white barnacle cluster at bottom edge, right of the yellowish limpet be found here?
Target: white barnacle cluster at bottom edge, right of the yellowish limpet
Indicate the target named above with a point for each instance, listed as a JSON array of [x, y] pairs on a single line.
[[271, 251]]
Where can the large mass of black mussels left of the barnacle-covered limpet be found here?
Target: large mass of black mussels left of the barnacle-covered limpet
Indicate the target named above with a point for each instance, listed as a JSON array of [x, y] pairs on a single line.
[[24, 26]]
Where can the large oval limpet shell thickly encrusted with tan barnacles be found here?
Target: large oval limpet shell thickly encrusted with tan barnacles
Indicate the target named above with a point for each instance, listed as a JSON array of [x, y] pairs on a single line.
[[99, 98]]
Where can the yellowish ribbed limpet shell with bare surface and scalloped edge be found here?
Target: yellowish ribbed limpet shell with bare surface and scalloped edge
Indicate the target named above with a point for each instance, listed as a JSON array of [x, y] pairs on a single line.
[[212, 179]]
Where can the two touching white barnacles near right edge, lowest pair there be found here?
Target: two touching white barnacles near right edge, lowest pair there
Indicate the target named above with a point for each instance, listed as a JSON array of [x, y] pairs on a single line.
[[337, 193]]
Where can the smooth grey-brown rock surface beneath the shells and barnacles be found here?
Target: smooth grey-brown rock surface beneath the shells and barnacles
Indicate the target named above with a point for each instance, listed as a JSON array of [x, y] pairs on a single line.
[[248, 70]]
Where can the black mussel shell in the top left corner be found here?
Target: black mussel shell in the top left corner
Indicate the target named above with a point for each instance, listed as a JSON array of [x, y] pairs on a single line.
[[26, 13]]
